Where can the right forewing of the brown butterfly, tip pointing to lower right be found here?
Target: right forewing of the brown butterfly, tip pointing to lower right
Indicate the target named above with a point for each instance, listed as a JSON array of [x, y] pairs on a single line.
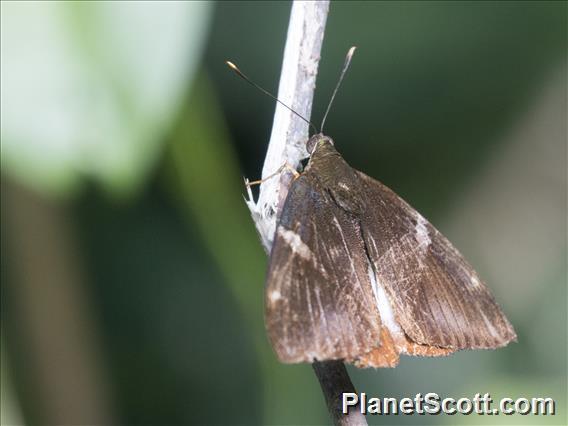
[[437, 297]]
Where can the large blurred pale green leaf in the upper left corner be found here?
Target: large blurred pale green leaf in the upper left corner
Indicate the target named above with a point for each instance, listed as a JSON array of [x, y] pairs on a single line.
[[89, 89]]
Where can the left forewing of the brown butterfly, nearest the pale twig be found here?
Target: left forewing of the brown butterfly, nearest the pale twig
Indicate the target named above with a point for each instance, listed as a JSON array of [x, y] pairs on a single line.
[[319, 300]]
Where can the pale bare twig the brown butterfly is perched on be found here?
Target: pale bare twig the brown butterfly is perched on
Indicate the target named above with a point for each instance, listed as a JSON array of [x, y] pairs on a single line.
[[287, 146]]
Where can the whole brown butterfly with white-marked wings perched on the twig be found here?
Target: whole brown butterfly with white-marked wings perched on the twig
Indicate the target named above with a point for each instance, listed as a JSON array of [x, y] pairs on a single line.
[[357, 274]]
